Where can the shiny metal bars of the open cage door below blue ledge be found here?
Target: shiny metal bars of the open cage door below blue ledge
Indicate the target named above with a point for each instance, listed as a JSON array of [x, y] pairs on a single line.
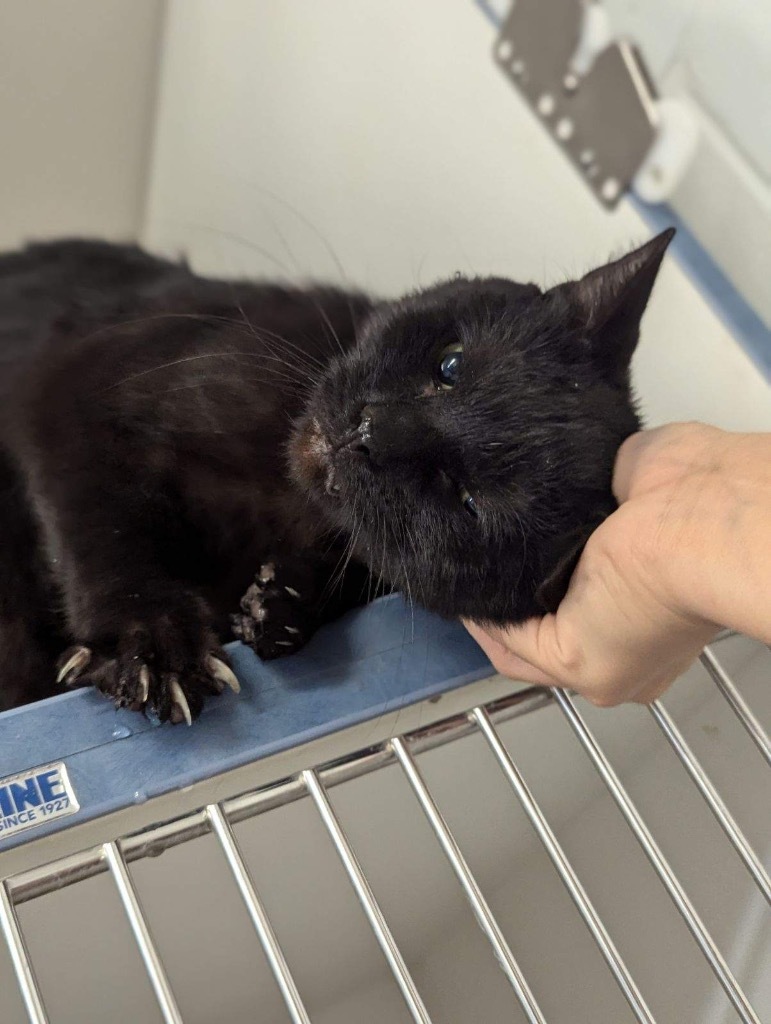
[[314, 784]]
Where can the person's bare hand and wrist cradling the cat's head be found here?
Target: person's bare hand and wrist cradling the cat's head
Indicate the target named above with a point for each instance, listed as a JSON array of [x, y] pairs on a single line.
[[689, 551]]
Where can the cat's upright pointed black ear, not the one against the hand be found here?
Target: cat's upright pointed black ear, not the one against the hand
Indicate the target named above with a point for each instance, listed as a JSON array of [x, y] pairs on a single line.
[[608, 304]]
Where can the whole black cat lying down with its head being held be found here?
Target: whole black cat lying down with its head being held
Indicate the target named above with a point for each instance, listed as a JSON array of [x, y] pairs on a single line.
[[163, 437]]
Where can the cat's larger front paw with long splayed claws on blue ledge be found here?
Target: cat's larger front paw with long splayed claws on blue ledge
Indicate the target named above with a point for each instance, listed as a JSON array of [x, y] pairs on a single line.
[[155, 668]]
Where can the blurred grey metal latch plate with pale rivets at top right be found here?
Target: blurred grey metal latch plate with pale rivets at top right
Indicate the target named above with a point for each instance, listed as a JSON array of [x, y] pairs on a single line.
[[594, 97]]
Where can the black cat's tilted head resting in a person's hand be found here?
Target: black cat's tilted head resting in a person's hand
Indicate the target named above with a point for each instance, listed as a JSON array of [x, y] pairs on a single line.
[[466, 444]]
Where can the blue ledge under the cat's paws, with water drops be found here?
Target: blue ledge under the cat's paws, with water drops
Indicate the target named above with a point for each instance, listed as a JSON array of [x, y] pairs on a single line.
[[381, 658]]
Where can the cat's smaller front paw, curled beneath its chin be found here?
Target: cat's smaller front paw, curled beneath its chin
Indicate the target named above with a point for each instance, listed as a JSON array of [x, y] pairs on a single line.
[[276, 619]]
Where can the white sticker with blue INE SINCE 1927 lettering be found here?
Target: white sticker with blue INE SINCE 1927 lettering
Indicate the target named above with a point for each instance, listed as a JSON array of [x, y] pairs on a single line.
[[34, 797]]
